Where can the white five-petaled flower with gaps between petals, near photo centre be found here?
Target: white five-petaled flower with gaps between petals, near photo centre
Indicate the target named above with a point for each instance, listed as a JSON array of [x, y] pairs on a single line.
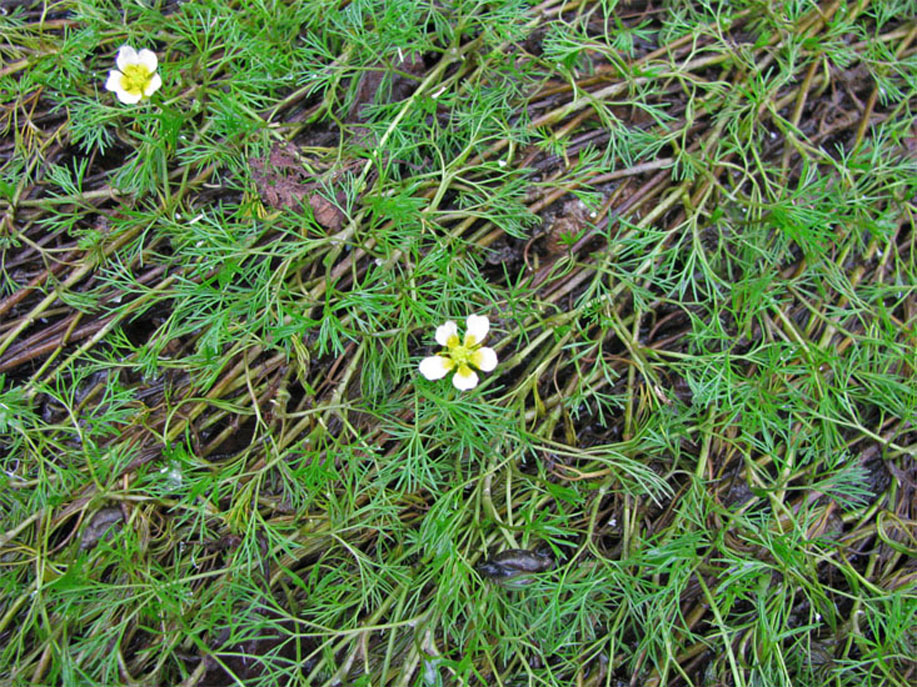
[[461, 355]]
